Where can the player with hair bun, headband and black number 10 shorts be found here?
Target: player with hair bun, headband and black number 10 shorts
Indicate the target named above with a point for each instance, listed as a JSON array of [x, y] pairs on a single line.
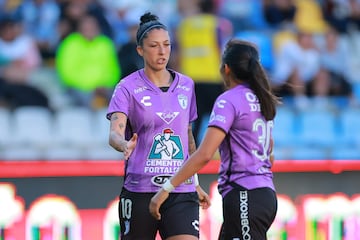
[[151, 112]]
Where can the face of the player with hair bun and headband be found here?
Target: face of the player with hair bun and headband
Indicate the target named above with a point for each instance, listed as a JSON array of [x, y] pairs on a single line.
[[156, 49]]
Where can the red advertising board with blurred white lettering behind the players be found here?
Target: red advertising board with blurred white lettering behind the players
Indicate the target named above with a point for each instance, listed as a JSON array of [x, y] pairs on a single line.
[[56, 217]]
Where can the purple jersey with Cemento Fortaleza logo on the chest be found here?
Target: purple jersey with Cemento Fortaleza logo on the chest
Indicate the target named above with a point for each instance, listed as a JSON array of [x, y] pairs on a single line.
[[161, 121]]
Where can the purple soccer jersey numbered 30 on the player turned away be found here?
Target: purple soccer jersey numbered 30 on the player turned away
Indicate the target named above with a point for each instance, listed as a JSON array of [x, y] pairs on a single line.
[[245, 151]]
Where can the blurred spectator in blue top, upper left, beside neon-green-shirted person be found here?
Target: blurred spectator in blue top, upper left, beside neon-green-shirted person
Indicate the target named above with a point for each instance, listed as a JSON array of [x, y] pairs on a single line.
[[40, 19]]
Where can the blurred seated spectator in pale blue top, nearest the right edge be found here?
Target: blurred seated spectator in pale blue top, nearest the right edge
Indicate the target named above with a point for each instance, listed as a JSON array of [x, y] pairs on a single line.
[[335, 60]]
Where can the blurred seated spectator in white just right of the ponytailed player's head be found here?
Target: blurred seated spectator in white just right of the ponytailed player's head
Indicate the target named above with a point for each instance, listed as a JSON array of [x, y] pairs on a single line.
[[297, 71]]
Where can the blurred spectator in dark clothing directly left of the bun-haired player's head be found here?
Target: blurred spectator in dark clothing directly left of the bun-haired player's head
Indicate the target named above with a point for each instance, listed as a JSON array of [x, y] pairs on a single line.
[[129, 59]]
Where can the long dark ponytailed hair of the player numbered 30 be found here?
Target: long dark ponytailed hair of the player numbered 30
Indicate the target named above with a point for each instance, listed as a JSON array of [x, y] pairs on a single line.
[[243, 60]]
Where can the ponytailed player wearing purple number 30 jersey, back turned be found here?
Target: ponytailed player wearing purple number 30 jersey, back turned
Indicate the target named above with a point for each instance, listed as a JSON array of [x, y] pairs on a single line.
[[240, 126]]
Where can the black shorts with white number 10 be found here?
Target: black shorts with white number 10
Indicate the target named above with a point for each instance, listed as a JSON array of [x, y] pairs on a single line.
[[179, 215]]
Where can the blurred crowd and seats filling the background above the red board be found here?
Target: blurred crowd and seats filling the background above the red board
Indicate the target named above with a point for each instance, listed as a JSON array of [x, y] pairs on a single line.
[[61, 59]]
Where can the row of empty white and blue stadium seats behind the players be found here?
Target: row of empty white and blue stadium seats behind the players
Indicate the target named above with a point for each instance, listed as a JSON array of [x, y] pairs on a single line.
[[35, 133]]
